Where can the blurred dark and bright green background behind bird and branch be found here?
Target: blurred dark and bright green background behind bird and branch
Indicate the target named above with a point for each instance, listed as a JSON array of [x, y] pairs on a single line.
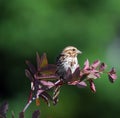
[[30, 26]]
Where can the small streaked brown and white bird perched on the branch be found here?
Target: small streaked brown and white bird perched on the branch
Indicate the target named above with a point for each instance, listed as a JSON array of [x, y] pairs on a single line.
[[67, 59]]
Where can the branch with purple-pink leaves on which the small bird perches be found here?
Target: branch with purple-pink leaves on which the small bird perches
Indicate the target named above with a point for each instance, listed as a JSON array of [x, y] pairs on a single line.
[[45, 78]]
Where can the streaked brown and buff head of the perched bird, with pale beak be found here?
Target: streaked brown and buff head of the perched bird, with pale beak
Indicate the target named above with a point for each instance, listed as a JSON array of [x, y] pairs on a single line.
[[71, 51]]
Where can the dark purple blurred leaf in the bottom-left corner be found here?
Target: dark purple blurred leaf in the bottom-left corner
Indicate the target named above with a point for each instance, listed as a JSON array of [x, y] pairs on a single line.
[[3, 110]]
